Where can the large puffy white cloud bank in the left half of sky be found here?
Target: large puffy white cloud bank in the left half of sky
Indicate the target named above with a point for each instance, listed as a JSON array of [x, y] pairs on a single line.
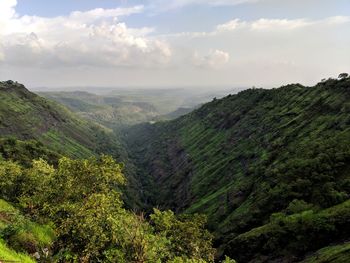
[[92, 38]]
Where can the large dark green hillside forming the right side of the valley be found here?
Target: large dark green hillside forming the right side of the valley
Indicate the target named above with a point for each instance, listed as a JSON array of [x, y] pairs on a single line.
[[270, 169]]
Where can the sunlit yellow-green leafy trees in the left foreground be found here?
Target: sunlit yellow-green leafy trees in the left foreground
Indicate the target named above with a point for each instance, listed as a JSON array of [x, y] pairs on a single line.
[[81, 200]]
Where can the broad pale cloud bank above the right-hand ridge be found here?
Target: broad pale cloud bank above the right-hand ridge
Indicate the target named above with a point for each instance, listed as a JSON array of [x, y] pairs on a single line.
[[269, 51]]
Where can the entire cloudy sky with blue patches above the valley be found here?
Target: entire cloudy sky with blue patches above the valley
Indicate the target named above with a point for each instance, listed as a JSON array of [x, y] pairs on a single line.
[[168, 43]]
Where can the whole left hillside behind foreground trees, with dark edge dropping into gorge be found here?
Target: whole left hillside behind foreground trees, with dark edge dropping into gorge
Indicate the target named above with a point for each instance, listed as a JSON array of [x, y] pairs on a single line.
[[34, 127]]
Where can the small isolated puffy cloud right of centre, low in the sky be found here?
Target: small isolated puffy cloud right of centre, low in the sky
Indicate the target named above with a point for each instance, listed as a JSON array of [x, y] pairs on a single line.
[[214, 59]]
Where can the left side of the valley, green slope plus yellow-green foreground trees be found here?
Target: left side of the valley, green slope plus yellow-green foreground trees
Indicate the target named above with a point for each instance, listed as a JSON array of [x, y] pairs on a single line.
[[57, 209]]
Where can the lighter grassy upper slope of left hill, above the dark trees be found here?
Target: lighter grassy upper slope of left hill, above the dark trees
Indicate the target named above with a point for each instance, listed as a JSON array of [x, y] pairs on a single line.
[[25, 115]]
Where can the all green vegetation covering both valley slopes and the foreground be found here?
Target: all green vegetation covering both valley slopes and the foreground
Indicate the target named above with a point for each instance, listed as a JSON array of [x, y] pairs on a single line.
[[269, 169]]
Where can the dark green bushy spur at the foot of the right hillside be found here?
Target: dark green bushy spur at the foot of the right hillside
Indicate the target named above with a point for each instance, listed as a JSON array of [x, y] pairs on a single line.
[[293, 235]]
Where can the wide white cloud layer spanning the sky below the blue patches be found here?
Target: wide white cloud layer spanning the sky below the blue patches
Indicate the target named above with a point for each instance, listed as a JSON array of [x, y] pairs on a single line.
[[97, 48]]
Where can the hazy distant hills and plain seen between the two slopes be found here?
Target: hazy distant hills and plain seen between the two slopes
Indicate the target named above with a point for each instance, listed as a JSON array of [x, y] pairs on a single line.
[[126, 107]]
